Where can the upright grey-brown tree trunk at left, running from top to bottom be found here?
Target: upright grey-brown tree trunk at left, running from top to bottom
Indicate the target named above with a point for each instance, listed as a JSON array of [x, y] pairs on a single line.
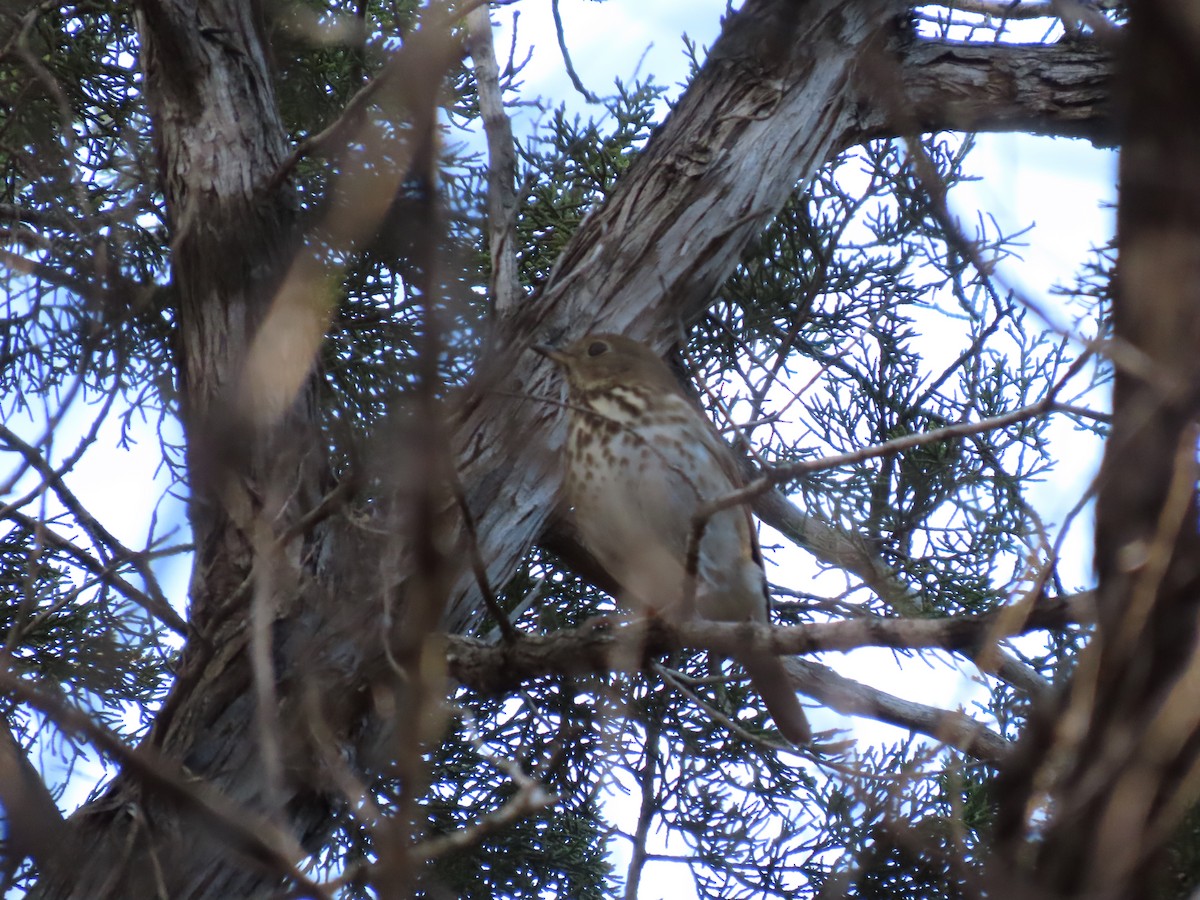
[[220, 142]]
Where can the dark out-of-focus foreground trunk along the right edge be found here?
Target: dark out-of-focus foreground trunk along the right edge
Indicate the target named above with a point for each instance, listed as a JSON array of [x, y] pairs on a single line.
[[1126, 735]]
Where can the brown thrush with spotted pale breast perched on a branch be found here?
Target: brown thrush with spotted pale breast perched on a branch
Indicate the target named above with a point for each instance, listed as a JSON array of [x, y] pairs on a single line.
[[643, 459]]
